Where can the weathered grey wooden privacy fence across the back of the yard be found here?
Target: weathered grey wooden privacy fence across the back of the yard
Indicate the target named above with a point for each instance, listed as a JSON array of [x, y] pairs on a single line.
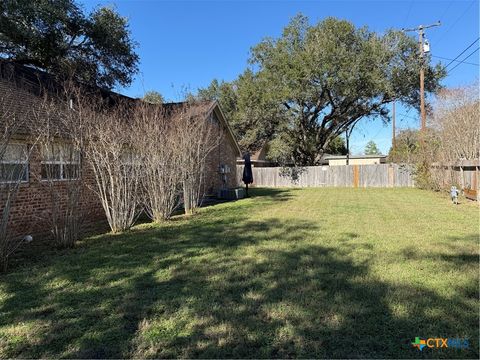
[[377, 175]]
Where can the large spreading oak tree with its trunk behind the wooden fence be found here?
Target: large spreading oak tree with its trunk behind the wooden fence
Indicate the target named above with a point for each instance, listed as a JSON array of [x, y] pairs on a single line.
[[328, 76]]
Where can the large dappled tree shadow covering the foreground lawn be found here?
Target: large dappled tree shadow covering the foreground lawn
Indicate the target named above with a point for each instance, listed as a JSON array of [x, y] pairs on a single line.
[[223, 286]]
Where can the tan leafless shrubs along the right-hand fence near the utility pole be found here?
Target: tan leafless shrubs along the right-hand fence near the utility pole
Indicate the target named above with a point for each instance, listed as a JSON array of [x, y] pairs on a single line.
[[452, 135]]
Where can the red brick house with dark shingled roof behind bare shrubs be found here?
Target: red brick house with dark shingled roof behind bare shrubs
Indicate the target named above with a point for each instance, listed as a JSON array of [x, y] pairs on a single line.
[[20, 92]]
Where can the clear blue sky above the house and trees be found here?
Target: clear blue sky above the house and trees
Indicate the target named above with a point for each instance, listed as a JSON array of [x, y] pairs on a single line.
[[183, 45]]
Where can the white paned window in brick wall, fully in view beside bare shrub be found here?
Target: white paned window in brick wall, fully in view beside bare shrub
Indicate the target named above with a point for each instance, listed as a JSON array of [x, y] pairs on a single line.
[[60, 162]]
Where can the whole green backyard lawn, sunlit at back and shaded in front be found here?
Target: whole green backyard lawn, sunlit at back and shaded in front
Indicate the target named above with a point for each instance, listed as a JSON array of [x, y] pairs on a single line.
[[285, 273]]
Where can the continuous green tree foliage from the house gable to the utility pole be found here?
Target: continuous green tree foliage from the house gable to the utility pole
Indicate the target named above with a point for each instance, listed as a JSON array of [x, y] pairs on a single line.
[[312, 83]]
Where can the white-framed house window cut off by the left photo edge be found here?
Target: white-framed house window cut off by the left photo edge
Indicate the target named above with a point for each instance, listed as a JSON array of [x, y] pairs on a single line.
[[14, 163]]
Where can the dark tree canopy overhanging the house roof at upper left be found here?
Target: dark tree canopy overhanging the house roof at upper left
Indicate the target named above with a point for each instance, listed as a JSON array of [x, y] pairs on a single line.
[[56, 36]]
